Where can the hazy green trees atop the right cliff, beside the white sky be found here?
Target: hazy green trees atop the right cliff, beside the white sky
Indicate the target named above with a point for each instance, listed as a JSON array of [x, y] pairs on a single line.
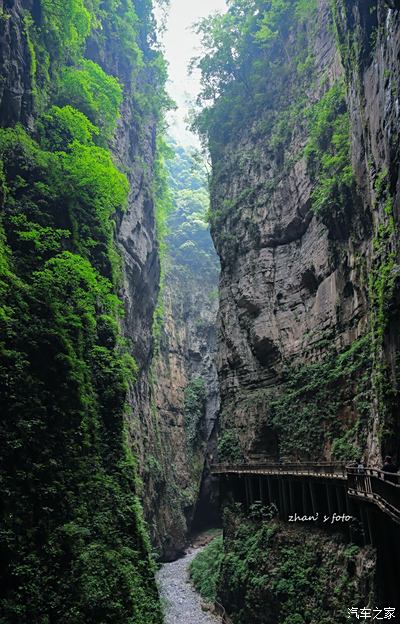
[[245, 57]]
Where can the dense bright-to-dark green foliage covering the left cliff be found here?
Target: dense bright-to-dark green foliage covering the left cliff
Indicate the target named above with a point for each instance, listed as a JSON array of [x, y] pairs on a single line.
[[73, 543]]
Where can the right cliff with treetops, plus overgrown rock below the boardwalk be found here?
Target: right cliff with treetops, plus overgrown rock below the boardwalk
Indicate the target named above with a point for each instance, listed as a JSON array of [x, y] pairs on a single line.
[[301, 105]]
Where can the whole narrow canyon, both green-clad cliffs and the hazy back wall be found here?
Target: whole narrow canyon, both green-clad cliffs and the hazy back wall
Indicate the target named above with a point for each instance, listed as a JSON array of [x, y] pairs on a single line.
[[134, 355]]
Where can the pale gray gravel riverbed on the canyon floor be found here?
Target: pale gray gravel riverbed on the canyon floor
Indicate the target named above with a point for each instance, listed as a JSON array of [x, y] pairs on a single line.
[[182, 604]]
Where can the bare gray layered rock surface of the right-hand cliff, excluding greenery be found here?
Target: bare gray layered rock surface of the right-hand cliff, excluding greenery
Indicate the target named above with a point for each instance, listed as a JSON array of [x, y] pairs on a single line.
[[293, 284]]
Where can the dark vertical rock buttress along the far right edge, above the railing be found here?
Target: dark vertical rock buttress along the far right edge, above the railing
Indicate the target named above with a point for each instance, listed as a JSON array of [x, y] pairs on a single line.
[[369, 41]]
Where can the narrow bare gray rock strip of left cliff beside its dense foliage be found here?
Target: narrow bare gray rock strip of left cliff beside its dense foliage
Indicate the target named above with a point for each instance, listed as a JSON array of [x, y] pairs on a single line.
[[135, 148]]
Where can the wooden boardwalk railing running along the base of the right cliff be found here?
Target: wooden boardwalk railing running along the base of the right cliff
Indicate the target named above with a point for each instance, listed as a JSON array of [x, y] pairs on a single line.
[[376, 486]]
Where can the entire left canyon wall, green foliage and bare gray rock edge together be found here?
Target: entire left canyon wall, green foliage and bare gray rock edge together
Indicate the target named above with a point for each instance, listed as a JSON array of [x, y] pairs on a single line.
[[76, 452]]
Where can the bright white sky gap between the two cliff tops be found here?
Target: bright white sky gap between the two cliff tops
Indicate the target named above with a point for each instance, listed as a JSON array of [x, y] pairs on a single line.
[[181, 44]]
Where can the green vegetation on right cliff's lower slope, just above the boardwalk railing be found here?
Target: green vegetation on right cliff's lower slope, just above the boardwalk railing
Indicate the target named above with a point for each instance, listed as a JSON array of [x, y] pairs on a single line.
[[318, 405]]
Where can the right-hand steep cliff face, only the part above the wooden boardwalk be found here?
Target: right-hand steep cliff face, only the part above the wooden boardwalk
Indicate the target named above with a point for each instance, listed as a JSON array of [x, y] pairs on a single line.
[[305, 230]]
